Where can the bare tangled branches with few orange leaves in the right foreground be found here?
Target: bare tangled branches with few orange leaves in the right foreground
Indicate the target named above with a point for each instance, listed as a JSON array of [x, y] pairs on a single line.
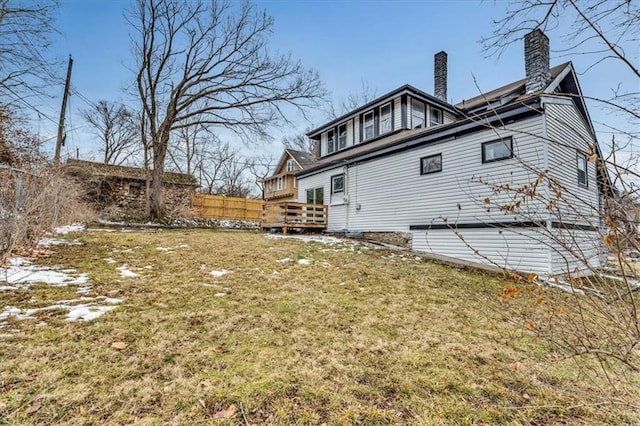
[[600, 321]]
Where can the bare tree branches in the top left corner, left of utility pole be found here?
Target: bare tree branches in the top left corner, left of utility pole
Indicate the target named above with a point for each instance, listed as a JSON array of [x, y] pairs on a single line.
[[26, 29]]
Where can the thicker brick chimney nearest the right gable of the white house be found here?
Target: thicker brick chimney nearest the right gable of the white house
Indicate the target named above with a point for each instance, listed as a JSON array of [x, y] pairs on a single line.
[[536, 61]]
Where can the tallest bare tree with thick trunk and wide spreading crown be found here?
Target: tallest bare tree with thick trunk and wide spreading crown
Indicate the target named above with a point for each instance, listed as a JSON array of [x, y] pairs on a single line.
[[210, 60]]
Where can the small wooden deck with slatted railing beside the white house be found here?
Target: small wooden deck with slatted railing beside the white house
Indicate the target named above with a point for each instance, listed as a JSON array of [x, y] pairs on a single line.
[[291, 215]]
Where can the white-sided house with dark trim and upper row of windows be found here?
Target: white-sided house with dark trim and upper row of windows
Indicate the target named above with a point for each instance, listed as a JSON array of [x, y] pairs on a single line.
[[508, 178]]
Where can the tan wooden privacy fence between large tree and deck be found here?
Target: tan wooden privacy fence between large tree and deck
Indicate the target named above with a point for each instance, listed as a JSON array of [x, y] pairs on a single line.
[[232, 208]]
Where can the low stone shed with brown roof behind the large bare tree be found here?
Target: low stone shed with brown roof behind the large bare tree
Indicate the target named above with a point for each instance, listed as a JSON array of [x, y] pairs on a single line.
[[121, 191]]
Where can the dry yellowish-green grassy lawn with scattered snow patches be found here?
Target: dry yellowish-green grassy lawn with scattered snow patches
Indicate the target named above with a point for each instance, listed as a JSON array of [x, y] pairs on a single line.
[[294, 333]]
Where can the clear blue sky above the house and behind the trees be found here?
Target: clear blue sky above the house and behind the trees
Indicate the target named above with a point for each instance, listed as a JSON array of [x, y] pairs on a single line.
[[383, 43]]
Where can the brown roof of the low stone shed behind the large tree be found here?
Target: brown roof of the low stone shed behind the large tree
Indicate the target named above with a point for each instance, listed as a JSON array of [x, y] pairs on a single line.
[[85, 168]]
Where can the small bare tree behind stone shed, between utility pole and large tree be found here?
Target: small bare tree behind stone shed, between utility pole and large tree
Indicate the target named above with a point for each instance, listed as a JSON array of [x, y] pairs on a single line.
[[116, 126]]
